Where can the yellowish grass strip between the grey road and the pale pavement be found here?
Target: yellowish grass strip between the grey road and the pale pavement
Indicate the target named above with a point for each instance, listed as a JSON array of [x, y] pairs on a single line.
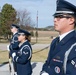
[[37, 56]]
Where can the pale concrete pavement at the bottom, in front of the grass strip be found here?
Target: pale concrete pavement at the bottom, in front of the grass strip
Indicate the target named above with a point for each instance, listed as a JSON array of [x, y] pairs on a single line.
[[36, 67]]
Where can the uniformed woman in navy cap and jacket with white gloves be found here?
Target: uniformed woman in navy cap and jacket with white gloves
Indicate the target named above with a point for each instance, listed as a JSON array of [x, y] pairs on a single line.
[[23, 57]]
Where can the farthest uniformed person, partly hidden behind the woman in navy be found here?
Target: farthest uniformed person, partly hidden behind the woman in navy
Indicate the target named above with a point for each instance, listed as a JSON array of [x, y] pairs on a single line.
[[14, 43]]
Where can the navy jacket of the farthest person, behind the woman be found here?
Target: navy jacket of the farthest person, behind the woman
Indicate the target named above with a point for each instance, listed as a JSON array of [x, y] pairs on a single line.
[[14, 44]]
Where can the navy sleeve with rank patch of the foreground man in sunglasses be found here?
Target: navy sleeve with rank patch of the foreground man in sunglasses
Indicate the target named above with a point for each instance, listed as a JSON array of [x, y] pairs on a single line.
[[71, 63]]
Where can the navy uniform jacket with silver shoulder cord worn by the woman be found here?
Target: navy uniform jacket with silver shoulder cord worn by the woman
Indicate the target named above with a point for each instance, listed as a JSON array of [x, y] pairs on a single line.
[[23, 59]]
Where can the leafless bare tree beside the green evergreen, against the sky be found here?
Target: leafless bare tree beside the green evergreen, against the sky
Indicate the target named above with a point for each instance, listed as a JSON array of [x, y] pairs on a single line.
[[24, 18]]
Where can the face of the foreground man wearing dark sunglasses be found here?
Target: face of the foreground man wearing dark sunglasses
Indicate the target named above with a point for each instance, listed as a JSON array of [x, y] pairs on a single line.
[[62, 23]]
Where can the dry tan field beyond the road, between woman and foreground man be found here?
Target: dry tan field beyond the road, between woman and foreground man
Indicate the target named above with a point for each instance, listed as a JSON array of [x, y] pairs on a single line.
[[44, 37]]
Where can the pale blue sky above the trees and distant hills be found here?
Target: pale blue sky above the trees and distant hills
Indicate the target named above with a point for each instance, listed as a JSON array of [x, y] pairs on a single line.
[[45, 8]]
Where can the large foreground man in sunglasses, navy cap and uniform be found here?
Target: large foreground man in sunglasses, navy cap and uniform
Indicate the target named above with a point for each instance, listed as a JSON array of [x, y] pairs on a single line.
[[62, 55]]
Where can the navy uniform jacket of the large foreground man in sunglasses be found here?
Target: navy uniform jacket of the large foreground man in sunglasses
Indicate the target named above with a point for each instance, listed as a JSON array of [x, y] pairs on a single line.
[[55, 60]]
